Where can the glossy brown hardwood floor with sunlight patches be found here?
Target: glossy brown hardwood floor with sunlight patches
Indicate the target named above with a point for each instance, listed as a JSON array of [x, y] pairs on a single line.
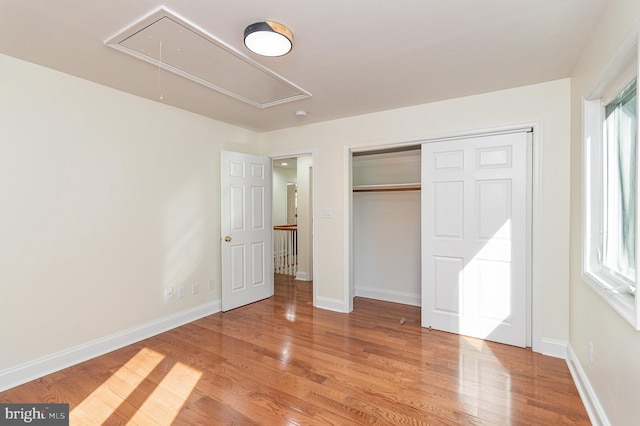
[[282, 362]]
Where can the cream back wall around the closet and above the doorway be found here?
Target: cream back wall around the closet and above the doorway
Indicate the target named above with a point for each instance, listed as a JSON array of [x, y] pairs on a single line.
[[547, 104]]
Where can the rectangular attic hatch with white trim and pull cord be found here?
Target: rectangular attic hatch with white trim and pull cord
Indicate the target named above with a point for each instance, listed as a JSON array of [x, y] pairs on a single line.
[[166, 40]]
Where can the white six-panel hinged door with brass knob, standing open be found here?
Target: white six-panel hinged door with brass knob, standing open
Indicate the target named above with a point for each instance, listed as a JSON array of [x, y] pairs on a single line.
[[247, 249]]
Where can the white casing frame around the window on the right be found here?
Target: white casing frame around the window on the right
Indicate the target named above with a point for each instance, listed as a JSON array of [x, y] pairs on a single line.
[[611, 288]]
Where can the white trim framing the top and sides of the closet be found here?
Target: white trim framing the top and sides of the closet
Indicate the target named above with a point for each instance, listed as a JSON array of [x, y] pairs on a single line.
[[534, 264]]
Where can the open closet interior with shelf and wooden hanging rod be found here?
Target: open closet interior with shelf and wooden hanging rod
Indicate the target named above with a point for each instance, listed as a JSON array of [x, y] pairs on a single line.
[[386, 224]]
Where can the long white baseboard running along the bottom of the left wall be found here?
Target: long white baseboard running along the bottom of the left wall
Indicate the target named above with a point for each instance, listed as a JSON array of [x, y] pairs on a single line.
[[50, 364]]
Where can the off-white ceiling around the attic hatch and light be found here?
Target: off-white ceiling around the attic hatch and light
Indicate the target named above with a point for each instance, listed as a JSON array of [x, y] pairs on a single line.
[[353, 56]]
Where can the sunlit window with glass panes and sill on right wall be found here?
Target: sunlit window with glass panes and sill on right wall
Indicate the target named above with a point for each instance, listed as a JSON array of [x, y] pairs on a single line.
[[611, 198]]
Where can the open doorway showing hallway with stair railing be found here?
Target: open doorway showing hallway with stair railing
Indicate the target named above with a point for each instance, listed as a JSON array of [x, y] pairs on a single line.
[[293, 216]]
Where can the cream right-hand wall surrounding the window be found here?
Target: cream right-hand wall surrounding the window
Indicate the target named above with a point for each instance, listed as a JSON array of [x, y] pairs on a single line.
[[614, 375]]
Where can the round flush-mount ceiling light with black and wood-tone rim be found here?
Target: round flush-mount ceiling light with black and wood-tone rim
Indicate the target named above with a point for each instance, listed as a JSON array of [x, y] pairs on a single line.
[[268, 38]]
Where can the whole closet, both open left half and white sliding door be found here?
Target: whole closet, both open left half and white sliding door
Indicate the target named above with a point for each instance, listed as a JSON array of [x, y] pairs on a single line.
[[449, 225]]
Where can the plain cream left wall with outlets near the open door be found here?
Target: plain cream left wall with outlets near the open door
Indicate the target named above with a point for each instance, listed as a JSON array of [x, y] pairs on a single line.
[[106, 199]]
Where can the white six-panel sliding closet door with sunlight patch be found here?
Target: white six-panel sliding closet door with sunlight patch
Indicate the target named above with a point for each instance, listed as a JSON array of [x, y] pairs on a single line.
[[474, 237]]
